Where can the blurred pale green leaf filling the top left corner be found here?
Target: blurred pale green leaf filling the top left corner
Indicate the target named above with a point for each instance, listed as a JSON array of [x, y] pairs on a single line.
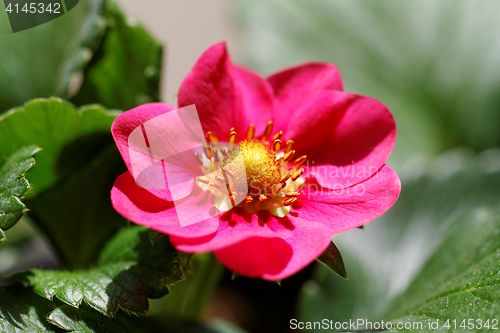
[[46, 60]]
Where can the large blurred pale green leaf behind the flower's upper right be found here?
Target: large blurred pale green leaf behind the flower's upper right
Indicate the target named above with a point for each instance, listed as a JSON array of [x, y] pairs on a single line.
[[421, 58]]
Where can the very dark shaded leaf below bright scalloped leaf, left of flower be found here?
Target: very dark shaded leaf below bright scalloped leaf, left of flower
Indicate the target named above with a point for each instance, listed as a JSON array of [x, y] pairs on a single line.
[[77, 215]]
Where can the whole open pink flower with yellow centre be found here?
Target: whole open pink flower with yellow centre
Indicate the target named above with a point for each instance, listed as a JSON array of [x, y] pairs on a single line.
[[337, 179]]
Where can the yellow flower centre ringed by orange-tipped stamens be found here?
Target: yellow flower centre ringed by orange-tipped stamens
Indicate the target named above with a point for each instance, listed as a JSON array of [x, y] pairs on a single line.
[[270, 175]]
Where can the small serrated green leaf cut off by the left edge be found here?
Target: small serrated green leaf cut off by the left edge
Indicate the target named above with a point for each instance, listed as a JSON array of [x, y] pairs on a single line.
[[13, 185]]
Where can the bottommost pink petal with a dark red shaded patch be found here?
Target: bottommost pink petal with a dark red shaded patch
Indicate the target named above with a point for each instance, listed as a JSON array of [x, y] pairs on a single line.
[[277, 258]]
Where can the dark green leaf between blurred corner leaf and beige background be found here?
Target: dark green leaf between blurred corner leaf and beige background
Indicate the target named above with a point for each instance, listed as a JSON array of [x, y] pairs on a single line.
[[125, 70]]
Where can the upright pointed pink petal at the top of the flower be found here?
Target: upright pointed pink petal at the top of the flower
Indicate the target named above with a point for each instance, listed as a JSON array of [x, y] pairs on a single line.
[[226, 95]]
